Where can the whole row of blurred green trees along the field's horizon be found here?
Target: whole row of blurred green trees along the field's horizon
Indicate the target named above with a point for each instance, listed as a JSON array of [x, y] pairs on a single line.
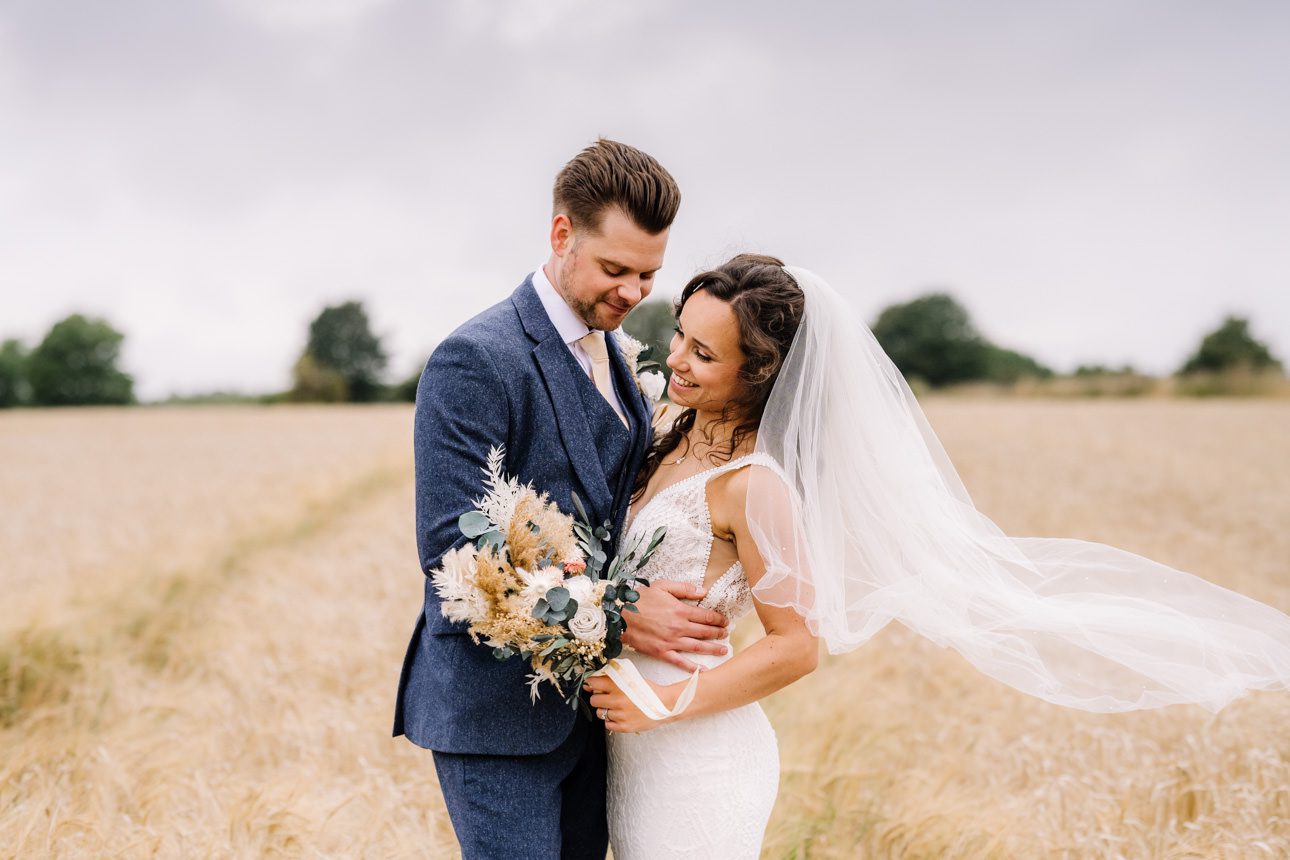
[[932, 340]]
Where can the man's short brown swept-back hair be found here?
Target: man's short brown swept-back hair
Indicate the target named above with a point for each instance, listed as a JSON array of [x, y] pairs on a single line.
[[610, 173]]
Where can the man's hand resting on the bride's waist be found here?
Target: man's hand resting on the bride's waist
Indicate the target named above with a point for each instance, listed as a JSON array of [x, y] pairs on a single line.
[[669, 629]]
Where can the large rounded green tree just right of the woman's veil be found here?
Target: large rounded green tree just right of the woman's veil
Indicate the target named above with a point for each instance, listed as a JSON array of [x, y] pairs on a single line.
[[933, 338]]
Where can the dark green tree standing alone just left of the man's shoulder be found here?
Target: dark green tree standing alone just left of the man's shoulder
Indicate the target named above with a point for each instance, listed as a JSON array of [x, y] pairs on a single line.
[[341, 341]]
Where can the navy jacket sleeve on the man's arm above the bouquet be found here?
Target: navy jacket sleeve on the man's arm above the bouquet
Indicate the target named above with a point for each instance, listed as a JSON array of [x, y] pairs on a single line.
[[462, 412]]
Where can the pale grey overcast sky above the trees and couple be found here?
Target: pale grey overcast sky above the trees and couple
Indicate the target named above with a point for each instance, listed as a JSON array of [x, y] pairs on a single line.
[[1095, 181]]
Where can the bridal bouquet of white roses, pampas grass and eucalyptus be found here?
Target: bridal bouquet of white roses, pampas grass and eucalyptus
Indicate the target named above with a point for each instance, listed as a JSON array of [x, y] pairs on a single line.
[[537, 583]]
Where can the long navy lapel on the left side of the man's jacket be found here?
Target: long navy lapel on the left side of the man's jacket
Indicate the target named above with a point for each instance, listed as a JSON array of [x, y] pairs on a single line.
[[557, 366]]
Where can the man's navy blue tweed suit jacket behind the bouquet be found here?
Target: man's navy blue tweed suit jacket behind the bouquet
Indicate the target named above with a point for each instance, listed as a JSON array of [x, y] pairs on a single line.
[[505, 378]]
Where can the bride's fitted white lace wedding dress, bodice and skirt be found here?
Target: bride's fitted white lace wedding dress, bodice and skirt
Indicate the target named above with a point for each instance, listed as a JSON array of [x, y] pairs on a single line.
[[701, 787]]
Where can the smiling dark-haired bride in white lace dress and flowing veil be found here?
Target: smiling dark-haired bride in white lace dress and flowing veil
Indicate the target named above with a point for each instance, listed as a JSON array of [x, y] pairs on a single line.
[[802, 480]]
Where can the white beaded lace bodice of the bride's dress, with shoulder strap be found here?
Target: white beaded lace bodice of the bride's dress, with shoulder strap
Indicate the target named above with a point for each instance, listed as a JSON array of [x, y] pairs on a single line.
[[684, 555]]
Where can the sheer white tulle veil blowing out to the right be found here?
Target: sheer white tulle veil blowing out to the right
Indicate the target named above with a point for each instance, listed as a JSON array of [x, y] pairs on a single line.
[[868, 523]]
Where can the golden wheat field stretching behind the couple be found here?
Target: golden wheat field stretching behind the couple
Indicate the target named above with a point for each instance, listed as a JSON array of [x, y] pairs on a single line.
[[206, 612]]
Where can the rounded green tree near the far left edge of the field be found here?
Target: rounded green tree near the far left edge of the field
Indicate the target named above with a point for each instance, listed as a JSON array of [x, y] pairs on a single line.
[[77, 366]]
